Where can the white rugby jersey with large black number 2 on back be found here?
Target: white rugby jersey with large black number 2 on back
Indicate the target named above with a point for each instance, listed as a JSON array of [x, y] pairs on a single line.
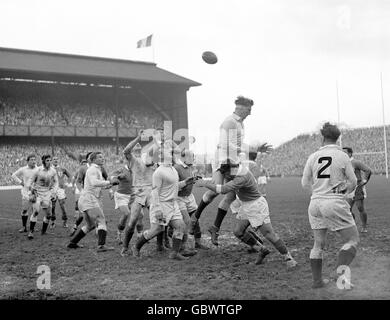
[[325, 169]]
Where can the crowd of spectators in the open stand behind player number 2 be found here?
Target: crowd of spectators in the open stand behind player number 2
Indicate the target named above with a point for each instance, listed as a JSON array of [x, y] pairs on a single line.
[[290, 158]]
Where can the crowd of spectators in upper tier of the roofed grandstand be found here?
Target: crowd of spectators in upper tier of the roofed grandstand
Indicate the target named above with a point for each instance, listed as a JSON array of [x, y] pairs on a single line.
[[40, 112]]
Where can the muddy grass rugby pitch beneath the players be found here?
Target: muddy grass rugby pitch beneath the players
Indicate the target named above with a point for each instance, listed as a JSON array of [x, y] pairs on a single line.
[[224, 272]]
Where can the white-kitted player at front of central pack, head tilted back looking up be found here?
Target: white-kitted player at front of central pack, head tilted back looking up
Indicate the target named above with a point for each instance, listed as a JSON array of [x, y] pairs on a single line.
[[164, 209]]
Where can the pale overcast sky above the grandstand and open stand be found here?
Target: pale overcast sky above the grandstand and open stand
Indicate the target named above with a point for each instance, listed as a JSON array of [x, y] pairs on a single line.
[[287, 55]]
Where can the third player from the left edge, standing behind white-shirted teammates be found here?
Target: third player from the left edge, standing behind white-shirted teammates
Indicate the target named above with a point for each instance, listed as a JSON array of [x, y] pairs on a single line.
[[60, 194]]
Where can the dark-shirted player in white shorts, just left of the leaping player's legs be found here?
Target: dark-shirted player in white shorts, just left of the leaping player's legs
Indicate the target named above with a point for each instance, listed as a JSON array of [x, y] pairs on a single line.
[[186, 199]]
